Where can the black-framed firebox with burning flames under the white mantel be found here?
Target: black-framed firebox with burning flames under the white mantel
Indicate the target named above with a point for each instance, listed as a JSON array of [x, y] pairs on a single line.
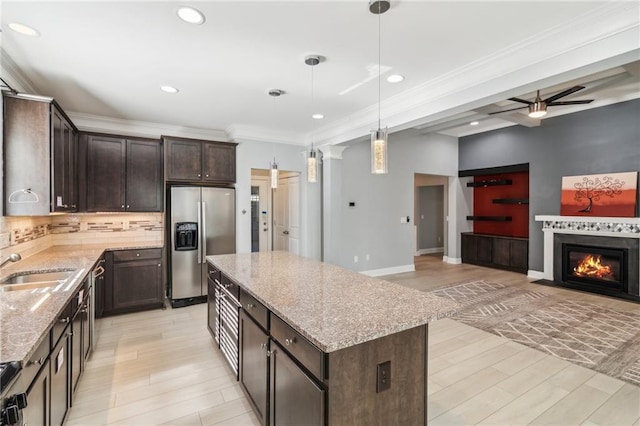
[[595, 266]]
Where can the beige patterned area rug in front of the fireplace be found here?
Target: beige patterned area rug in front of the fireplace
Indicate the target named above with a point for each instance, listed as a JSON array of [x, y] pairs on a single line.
[[593, 336]]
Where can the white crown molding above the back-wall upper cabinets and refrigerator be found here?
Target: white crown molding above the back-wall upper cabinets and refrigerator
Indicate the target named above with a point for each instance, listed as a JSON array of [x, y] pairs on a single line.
[[96, 123]]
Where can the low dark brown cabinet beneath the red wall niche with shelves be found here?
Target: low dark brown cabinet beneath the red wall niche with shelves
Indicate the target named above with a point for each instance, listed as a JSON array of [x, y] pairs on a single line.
[[496, 251]]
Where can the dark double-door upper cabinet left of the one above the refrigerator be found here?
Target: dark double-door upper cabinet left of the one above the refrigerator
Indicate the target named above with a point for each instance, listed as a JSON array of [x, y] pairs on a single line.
[[122, 174]]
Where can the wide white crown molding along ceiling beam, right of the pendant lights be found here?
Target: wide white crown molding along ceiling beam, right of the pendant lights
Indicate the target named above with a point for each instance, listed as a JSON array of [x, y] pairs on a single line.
[[604, 37]]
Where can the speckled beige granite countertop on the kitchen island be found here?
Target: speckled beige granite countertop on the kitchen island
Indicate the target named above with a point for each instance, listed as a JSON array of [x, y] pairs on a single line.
[[333, 307]]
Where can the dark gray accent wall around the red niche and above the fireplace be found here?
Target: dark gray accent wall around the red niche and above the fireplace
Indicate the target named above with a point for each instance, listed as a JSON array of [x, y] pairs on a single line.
[[599, 140]]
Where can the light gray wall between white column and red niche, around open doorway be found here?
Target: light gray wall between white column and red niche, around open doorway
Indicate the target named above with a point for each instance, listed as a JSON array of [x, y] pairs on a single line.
[[373, 226]]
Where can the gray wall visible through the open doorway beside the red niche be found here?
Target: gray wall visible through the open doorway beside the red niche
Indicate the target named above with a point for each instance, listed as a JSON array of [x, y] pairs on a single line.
[[430, 219]]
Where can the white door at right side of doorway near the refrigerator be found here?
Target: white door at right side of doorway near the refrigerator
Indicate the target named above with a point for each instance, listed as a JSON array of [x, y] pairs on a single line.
[[287, 214]]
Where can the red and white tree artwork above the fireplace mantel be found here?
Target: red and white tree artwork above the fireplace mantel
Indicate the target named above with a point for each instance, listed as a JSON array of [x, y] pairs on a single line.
[[603, 195]]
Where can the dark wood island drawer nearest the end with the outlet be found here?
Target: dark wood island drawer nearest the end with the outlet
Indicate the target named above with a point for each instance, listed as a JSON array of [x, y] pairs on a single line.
[[298, 346]]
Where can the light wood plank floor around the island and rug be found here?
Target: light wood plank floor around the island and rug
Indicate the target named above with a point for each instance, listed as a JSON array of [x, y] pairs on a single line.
[[161, 367]]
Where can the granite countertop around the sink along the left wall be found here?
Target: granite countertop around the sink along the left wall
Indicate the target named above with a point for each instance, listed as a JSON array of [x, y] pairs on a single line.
[[27, 315]]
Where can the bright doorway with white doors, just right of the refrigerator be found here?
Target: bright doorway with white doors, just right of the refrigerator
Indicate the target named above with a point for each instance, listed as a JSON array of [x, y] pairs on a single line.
[[275, 213]]
